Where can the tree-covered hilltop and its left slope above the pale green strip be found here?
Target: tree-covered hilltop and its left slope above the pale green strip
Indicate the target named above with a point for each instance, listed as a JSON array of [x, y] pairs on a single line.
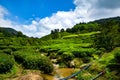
[[77, 29]]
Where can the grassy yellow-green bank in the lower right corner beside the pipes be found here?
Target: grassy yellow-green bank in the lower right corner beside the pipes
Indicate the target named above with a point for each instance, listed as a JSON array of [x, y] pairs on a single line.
[[100, 64]]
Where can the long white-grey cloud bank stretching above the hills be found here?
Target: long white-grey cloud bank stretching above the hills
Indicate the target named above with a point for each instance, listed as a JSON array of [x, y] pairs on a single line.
[[85, 10]]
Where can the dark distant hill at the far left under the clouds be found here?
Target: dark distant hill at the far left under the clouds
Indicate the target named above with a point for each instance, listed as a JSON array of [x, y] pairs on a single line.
[[9, 32]]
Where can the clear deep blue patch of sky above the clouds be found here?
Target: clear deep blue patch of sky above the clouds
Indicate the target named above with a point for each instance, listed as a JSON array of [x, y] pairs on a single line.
[[30, 9]]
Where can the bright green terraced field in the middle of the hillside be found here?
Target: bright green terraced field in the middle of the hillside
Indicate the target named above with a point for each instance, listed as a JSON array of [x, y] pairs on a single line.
[[70, 44]]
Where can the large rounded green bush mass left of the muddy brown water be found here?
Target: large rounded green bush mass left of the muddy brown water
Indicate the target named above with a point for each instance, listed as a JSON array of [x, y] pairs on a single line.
[[33, 60]]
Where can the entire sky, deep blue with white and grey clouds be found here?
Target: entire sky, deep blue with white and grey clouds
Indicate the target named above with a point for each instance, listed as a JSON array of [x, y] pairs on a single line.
[[38, 17]]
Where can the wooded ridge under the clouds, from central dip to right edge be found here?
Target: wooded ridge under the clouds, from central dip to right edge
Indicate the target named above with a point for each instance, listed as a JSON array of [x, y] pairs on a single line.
[[82, 28]]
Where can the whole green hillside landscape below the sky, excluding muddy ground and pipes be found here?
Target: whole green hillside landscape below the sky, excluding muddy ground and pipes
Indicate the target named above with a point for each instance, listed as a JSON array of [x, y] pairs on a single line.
[[96, 42]]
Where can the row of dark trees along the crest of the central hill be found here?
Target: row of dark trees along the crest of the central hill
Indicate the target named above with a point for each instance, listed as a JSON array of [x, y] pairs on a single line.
[[79, 28]]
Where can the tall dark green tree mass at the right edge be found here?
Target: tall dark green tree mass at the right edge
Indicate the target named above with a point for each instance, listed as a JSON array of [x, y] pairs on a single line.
[[109, 37]]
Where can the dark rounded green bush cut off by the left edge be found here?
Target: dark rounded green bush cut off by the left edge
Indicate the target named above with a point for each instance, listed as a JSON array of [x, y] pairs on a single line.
[[6, 63]]
